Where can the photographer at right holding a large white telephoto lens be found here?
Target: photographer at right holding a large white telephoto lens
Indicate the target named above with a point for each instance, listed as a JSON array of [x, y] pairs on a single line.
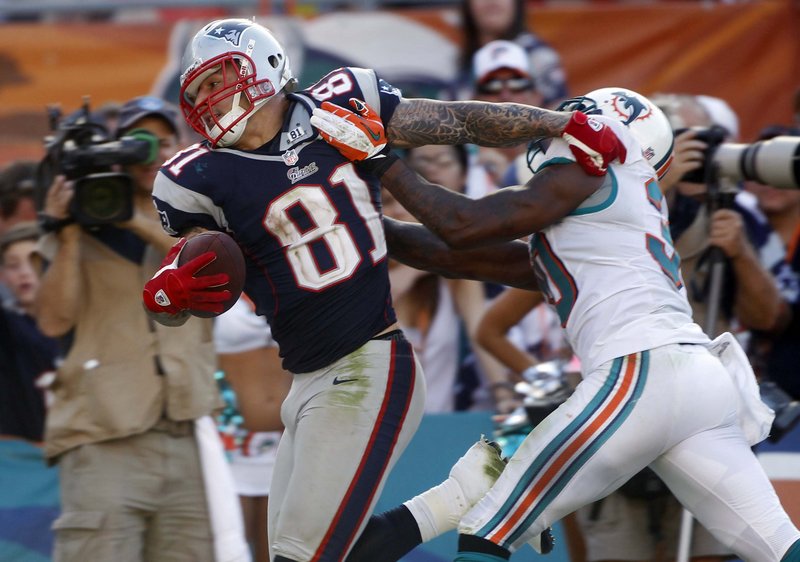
[[700, 221]]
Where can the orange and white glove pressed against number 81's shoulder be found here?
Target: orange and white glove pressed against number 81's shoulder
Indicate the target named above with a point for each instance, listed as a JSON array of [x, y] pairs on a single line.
[[357, 135]]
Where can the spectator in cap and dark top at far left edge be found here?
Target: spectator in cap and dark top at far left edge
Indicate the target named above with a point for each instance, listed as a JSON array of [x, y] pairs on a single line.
[[27, 357]]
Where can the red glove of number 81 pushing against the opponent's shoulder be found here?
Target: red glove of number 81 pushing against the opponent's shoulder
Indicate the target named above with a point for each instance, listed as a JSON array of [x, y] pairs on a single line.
[[593, 144]]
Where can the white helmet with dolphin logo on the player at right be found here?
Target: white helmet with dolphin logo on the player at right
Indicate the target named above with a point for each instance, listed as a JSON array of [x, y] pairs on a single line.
[[645, 120]]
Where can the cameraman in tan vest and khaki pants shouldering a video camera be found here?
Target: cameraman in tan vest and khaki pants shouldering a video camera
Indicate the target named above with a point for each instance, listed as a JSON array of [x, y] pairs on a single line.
[[129, 392]]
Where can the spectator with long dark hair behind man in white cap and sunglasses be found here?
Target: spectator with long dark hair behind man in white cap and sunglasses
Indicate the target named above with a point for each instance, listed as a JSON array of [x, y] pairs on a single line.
[[483, 21]]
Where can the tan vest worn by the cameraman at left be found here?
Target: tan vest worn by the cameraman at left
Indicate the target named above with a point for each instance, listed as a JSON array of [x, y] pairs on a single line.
[[124, 372]]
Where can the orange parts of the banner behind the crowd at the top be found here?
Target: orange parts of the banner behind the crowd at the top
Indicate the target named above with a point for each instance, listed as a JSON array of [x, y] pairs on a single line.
[[745, 53]]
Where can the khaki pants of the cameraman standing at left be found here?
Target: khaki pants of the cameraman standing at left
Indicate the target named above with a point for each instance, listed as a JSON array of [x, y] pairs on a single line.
[[139, 498]]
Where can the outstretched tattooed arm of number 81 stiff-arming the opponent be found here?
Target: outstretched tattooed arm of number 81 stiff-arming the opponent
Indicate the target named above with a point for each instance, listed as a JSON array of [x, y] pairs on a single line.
[[418, 122]]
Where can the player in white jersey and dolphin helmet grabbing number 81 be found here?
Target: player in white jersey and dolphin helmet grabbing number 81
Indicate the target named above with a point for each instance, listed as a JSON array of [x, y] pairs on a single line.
[[656, 391]]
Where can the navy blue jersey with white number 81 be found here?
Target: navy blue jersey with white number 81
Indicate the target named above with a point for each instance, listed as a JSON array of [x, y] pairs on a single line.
[[308, 222]]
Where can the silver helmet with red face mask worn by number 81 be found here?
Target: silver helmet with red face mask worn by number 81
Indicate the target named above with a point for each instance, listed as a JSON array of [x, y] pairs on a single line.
[[261, 69]]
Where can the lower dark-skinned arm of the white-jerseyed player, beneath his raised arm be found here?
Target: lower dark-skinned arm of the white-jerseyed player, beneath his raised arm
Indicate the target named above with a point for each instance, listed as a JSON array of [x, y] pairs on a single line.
[[414, 245]]
